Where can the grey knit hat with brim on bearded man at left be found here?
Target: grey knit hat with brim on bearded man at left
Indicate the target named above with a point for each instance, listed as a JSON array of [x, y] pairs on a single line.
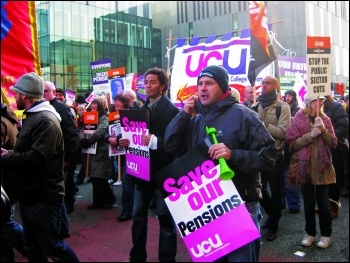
[[31, 85]]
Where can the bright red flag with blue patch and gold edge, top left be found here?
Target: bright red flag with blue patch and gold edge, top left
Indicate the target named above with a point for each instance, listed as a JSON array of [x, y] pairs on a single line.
[[19, 44]]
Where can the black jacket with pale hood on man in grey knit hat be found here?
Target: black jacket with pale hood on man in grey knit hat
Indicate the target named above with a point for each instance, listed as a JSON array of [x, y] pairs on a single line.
[[37, 160]]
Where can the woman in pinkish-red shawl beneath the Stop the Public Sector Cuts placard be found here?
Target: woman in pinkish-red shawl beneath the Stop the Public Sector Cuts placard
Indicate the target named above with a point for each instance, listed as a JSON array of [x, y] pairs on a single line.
[[310, 137]]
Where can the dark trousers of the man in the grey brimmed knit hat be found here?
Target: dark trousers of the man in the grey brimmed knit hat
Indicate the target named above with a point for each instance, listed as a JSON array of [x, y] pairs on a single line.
[[42, 233]]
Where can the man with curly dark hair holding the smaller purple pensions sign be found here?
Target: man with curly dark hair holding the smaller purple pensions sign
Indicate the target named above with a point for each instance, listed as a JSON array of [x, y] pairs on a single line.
[[161, 112]]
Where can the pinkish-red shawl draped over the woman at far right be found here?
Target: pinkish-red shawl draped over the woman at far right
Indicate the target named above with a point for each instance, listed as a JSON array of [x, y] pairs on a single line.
[[299, 167]]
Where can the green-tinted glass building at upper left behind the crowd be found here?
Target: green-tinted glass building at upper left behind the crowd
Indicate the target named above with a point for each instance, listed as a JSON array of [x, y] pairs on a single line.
[[73, 33]]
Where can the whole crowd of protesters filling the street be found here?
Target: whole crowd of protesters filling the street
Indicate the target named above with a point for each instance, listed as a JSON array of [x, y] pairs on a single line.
[[304, 156]]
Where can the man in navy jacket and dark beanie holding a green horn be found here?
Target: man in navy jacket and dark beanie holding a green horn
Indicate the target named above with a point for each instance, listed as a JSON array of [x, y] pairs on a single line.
[[245, 144]]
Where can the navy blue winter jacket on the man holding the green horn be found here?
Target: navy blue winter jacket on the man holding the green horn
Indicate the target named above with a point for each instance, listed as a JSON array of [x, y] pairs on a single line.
[[240, 129]]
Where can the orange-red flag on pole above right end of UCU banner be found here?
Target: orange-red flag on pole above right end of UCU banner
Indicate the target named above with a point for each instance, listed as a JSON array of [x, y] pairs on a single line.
[[261, 49]]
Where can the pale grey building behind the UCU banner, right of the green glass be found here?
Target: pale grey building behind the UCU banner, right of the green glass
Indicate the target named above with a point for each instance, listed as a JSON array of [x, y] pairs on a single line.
[[291, 22]]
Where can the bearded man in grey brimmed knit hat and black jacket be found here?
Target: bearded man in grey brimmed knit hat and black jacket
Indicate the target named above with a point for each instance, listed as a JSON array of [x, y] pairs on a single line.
[[37, 164]]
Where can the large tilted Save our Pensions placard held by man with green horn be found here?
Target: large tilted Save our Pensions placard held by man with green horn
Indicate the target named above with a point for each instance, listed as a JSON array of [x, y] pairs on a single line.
[[209, 212]]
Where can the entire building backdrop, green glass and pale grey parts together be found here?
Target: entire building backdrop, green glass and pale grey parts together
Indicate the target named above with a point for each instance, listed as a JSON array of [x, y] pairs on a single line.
[[138, 35]]
